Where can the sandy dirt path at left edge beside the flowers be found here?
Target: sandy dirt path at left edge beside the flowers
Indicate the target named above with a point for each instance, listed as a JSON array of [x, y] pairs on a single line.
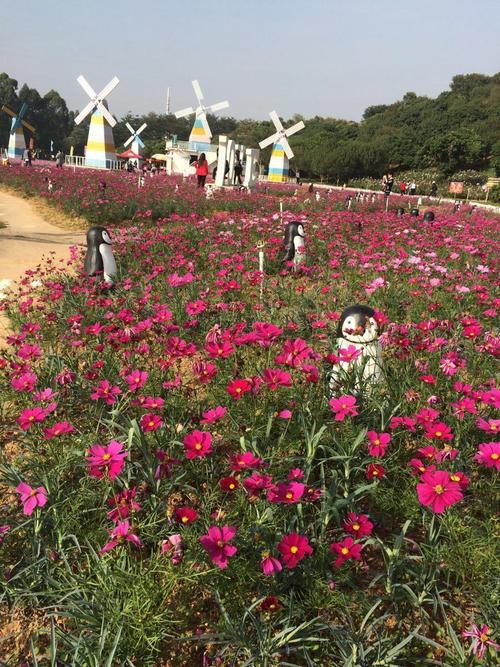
[[25, 239]]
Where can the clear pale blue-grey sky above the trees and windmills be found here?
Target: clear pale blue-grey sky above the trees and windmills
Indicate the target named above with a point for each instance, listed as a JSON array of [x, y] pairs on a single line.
[[324, 57]]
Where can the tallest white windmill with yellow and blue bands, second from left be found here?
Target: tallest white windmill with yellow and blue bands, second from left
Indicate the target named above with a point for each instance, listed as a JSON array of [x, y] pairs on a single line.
[[100, 143]]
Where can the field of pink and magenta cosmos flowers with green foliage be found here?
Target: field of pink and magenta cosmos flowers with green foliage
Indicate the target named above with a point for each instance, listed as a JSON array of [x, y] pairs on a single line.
[[181, 483]]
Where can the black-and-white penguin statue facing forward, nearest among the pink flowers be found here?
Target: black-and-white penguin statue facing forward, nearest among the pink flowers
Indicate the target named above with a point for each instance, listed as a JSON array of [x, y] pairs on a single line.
[[358, 328]]
